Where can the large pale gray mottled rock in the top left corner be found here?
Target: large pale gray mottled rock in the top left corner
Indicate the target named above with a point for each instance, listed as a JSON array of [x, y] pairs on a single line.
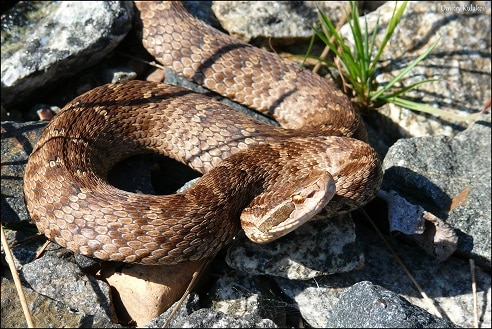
[[66, 38]]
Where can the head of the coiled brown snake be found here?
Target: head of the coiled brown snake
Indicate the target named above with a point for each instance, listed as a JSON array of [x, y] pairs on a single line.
[[288, 207]]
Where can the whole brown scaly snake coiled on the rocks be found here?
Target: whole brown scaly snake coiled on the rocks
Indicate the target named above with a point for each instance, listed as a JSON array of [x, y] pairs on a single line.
[[264, 179]]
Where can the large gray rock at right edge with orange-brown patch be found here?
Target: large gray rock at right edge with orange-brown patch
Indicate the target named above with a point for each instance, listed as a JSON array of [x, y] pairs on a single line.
[[450, 177]]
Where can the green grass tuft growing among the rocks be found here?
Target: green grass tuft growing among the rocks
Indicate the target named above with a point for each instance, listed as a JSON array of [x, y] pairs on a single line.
[[358, 66]]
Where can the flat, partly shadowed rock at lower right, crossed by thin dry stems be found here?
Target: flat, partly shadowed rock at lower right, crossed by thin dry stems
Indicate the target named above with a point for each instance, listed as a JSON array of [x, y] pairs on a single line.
[[446, 283]]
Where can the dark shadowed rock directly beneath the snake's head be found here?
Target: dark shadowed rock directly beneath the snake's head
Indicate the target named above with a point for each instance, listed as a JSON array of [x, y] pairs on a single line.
[[319, 247]]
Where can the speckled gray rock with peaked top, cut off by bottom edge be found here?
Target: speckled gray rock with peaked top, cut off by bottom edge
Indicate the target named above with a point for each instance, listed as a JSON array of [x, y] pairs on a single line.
[[365, 305]]
